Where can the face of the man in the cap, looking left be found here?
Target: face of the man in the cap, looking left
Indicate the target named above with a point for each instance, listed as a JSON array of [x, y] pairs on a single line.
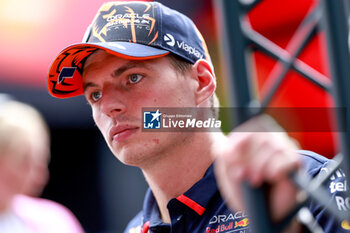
[[117, 90]]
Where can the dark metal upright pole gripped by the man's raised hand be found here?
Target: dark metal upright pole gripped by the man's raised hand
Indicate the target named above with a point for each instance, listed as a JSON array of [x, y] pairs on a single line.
[[235, 43]]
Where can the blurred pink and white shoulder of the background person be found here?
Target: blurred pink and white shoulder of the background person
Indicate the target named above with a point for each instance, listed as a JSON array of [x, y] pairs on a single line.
[[45, 214]]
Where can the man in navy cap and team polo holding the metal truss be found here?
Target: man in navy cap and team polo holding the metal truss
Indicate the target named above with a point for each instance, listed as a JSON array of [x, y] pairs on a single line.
[[142, 54]]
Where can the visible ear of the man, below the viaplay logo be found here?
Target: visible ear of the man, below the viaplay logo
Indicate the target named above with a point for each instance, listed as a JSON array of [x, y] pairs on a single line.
[[206, 81]]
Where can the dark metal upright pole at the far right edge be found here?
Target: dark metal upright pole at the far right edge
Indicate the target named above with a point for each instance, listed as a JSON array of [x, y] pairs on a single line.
[[337, 35]]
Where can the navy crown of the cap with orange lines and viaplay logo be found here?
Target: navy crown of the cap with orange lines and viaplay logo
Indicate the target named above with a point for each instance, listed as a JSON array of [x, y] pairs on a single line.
[[148, 23]]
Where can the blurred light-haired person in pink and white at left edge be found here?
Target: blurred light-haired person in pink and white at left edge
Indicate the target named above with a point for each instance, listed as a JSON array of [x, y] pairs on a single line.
[[24, 157]]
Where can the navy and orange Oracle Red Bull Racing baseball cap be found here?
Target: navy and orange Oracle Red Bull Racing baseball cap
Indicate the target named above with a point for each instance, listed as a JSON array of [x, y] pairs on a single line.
[[132, 30]]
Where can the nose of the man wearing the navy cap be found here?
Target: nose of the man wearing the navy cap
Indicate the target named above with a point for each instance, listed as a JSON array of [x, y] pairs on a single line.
[[111, 102]]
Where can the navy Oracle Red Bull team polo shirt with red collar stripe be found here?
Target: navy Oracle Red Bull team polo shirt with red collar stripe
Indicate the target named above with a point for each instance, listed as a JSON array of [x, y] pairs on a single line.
[[202, 210]]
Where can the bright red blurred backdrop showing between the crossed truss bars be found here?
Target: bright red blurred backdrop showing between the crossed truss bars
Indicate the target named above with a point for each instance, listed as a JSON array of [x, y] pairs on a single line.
[[278, 21]]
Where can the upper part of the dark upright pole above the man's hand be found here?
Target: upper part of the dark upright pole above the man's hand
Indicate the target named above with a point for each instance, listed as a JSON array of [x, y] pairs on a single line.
[[235, 43]]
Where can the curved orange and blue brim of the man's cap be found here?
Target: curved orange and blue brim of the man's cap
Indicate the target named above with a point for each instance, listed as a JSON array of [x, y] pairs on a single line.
[[65, 73]]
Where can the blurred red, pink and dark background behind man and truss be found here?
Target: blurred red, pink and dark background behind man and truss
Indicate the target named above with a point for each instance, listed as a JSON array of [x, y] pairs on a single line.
[[85, 176]]
